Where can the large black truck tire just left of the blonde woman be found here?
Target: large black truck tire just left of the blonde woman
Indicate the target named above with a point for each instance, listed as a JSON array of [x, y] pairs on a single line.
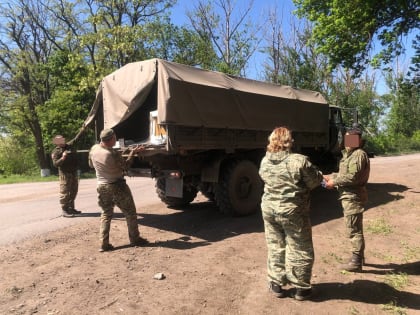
[[239, 189]]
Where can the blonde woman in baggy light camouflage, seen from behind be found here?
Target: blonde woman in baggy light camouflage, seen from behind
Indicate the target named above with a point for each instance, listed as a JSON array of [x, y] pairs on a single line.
[[288, 179]]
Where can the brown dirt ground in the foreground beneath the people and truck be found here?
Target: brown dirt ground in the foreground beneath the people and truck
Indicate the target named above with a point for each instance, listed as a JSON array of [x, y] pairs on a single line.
[[216, 265]]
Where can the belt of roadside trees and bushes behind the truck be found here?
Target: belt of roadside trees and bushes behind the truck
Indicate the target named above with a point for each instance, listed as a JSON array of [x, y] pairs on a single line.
[[54, 53]]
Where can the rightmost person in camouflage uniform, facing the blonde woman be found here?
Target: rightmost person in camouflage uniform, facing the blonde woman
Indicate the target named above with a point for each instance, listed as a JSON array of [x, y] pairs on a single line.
[[351, 184]]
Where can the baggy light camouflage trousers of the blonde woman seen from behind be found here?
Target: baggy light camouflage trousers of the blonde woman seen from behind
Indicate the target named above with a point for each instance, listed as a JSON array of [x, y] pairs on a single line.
[[290, 248]]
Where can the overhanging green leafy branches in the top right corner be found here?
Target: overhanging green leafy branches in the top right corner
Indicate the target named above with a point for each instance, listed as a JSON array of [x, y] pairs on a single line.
[[345, 30]]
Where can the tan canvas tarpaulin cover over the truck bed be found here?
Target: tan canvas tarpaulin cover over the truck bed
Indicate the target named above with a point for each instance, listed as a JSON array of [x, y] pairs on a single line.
[[190, 96]]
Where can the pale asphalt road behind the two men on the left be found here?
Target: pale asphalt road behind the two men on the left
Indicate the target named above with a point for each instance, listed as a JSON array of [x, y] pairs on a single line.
[[33, 208]]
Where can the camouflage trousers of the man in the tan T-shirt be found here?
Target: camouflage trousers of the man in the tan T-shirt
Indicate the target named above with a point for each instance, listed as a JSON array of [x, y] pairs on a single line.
[[118, 194]]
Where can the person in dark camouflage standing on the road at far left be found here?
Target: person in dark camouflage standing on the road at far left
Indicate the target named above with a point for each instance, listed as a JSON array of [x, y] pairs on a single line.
[[65, 159]]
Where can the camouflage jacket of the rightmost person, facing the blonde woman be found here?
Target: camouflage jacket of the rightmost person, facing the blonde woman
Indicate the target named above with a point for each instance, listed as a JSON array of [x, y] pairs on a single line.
[[353, 174]]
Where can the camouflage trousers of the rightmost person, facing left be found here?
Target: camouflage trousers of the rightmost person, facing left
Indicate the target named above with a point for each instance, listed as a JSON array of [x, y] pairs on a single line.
[[353, 220]]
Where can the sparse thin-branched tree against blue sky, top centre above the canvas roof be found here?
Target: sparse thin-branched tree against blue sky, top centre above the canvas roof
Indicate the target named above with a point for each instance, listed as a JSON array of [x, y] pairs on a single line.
[[233, 37]]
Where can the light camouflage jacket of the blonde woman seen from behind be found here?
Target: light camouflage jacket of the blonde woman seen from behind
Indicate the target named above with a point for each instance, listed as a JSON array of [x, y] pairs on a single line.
[[288, 179]]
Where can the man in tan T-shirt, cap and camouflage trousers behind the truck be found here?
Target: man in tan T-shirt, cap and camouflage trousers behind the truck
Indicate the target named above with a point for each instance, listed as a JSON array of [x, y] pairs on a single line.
[[112, 189]]
